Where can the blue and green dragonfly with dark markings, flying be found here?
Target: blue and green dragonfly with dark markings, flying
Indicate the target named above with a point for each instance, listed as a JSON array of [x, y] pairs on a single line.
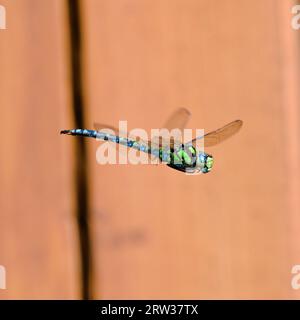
[[184, 157]]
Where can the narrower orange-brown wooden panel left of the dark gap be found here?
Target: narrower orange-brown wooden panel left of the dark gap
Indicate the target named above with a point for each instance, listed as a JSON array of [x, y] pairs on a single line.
[[37, 239]]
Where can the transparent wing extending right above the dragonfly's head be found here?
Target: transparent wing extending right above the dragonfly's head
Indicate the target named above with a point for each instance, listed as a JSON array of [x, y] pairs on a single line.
[[215, 137]]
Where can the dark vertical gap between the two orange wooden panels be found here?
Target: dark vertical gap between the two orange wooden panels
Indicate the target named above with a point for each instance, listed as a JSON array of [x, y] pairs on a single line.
[[81, 161]]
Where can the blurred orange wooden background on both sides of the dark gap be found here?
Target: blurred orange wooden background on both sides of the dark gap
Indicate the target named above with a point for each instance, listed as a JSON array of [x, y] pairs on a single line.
[[155, 232]]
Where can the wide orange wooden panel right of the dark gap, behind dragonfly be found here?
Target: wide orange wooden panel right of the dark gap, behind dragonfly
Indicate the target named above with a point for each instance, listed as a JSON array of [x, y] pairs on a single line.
[[159, 233]]
